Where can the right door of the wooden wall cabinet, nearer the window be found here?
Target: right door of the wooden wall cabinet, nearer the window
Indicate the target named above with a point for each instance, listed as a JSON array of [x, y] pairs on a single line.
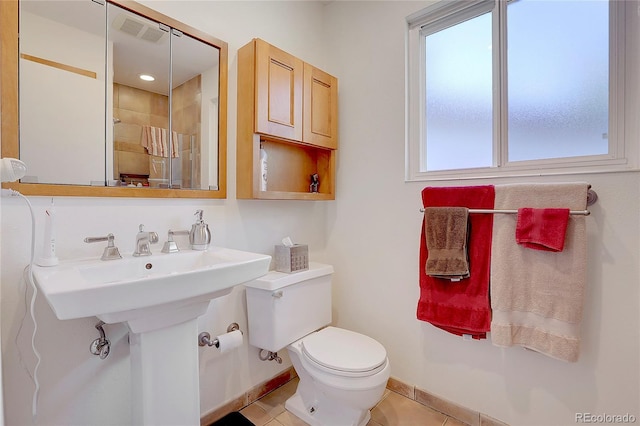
[[320, 108]]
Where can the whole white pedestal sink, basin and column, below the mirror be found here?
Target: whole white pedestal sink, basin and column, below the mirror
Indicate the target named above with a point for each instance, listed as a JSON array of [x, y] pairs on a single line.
[[160, 298]]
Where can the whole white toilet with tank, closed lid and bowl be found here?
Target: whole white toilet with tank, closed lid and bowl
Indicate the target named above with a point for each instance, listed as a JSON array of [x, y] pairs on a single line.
[[342, 374]]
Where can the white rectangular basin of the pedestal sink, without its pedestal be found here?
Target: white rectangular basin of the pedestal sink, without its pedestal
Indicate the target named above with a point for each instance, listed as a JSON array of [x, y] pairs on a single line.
[[136, 287]]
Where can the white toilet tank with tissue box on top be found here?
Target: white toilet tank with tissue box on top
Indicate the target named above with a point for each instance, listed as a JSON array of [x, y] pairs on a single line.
[[283, 308]]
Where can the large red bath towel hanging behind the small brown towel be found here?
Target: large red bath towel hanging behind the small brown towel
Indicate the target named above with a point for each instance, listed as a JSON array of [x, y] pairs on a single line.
[[461, 307]]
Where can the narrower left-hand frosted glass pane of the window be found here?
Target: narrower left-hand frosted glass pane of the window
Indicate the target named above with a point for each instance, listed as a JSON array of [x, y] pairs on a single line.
[[458, 80]]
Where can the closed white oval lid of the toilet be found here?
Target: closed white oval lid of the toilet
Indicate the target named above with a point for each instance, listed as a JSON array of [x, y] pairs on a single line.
[[344, 350]]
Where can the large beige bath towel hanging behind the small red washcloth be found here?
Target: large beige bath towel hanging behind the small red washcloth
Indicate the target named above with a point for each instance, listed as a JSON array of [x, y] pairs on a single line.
[[537, 296]]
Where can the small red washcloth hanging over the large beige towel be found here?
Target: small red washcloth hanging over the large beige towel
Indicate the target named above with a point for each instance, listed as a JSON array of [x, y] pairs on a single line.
[[542, 229]]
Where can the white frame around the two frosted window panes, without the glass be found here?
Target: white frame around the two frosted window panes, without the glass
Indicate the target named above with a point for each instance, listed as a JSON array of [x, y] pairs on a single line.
[[624, 95]]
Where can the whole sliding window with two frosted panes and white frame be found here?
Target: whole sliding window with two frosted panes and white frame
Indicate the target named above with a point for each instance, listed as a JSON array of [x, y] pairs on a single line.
[[522, 87]]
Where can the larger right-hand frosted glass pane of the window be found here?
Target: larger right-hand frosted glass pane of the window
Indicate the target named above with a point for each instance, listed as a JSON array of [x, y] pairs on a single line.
[[558, 78]]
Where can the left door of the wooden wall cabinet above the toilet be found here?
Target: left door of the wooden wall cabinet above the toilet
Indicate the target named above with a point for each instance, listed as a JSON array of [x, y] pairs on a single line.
[[278, 92]]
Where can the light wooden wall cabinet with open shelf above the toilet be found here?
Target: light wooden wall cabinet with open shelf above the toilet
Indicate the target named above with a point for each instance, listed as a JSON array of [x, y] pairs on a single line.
[[290, 109]]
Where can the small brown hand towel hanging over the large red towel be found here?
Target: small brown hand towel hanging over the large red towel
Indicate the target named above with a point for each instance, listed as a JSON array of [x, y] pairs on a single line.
[[446, 237]]
